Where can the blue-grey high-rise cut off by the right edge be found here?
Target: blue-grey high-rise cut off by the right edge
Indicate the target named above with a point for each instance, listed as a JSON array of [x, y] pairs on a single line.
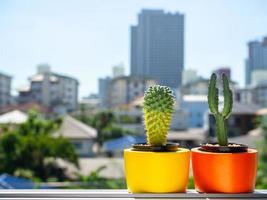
[[257, 58]]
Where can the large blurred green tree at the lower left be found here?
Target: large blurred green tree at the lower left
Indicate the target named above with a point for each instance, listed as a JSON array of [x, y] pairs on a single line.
[[32, 147]]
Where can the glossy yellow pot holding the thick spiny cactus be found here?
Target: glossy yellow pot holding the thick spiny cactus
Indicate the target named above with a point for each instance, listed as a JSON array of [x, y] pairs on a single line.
[[156, 172]]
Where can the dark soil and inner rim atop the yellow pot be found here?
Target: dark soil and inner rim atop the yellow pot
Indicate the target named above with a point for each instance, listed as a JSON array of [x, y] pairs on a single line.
[[169, 147]]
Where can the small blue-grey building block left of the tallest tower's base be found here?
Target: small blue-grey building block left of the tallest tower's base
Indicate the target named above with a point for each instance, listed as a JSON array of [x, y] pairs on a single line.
[[103, 85]]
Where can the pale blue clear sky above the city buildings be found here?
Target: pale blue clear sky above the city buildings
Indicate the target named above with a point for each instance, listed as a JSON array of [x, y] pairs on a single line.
[[85, 38]]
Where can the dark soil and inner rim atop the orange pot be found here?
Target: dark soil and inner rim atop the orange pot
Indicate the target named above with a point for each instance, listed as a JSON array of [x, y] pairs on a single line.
[[231, 148]]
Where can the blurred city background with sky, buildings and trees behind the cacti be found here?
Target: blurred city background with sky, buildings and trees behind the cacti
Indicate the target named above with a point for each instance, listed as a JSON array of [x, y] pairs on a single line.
[[73, 76]]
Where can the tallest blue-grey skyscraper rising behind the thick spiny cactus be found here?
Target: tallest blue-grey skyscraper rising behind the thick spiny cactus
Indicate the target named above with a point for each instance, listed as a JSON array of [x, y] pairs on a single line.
[[157, 47]]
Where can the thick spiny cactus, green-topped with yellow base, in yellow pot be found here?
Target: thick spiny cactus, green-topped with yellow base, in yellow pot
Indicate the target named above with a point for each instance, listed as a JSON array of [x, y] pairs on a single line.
[[158, 108]]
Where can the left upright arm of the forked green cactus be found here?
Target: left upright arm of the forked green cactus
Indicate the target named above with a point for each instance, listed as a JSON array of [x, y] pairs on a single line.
[[213, 94]]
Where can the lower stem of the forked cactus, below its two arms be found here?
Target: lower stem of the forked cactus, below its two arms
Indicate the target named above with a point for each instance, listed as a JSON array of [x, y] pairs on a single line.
[[221, 130]]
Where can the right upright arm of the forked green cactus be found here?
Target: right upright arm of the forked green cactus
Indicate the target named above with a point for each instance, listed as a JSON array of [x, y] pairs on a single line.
[[228, 98]]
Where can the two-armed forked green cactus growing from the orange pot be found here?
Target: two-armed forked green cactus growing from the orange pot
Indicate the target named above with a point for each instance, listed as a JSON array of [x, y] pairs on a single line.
[[213, 101]]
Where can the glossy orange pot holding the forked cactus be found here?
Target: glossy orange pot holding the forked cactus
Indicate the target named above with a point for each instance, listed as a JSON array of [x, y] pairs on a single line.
[[224, 172]]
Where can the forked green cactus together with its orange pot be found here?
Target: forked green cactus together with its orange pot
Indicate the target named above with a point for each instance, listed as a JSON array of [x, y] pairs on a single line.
[[223, 167]]
